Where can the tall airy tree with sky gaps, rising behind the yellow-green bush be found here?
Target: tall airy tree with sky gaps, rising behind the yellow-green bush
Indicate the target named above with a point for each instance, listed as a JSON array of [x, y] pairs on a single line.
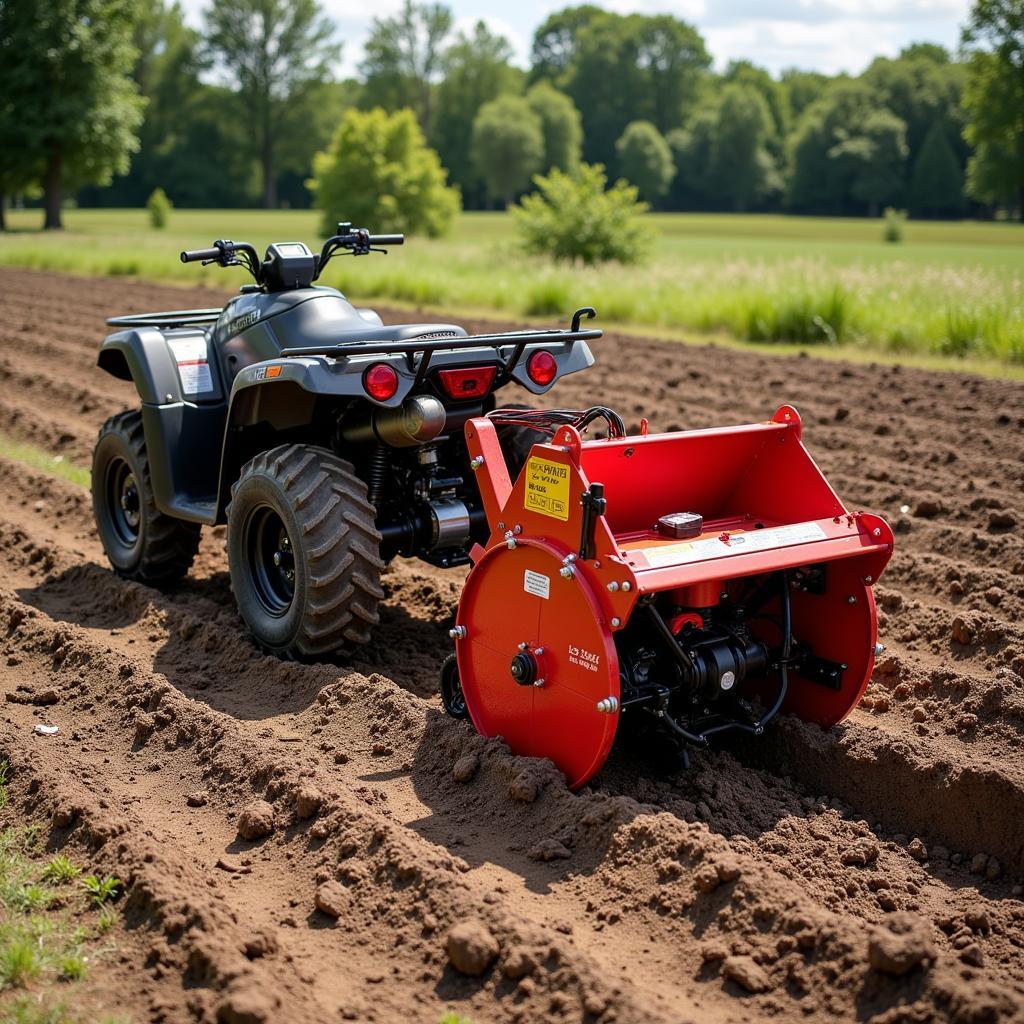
[[403, 59]]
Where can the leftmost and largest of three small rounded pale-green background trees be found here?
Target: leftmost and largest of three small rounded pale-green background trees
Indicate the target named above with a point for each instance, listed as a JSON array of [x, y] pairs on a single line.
[[508, 146]]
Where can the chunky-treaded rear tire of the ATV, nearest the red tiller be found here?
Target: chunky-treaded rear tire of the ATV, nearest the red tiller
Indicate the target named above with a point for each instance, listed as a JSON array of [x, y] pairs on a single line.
[[305, 552]]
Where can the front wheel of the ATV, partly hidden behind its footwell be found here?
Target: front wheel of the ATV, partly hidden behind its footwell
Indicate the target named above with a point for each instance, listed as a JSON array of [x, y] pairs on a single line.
[[142, 542]]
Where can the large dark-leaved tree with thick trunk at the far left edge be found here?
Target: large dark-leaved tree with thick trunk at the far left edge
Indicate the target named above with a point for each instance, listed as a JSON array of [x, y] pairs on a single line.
[[70, 108]]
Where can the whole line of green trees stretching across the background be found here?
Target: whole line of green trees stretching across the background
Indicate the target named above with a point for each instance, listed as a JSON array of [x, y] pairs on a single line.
[[107, 101]]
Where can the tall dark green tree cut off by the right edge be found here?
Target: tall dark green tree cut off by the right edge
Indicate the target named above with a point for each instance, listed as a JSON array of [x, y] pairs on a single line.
[[994, 101]]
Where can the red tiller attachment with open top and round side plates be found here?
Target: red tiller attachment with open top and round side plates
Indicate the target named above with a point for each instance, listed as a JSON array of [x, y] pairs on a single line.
[[671, 587]]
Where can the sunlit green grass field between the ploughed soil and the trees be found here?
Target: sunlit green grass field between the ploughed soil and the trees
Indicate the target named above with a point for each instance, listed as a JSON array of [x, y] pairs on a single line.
[[953, 292]]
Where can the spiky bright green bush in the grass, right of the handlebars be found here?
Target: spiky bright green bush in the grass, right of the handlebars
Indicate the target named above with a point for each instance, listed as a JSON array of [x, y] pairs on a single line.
[[574, 218]]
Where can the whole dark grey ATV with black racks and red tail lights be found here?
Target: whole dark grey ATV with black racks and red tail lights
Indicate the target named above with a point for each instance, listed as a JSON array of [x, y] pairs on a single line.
[[328, 442]]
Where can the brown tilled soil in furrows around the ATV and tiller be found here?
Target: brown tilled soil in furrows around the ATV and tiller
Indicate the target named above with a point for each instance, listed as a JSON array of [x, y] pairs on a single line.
[[789, 879]]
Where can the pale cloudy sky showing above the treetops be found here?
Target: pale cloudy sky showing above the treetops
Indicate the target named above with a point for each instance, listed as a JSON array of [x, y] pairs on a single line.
[[830, 36]]
